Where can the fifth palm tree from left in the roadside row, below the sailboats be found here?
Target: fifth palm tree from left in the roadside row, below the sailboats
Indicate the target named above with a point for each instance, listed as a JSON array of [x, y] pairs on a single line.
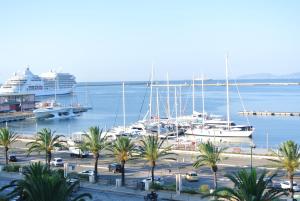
[[151, 150]]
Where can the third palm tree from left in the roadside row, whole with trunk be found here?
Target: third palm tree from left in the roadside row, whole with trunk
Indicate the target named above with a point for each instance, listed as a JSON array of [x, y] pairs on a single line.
[[95, 141]]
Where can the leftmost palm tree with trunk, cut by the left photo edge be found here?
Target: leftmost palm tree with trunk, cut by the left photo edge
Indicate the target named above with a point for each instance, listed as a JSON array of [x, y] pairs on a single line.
[[7, 138]]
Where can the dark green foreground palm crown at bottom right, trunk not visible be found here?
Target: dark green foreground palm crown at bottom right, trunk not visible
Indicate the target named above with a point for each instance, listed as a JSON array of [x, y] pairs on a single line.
[[248, 186]]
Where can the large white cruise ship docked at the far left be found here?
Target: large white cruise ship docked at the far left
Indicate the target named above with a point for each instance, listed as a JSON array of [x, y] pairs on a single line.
[[48, 83]]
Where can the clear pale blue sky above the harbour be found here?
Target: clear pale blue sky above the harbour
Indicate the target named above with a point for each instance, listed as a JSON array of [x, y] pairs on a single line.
[[120, 40]]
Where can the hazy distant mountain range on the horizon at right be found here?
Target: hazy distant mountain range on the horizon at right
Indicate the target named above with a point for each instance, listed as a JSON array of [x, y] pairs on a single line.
[[270, 76]]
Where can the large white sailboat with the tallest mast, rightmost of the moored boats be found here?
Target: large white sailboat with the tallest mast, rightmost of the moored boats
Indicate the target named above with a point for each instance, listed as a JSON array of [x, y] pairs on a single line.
[[222, 128]]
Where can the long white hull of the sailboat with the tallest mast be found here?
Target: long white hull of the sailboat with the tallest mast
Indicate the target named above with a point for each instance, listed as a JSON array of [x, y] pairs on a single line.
[[219, 132]]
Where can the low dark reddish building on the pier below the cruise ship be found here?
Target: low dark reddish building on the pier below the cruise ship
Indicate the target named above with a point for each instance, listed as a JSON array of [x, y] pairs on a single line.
[[16, 102]]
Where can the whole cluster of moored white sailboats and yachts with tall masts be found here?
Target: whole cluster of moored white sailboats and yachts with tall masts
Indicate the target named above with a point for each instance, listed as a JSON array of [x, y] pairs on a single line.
[[196, 124]]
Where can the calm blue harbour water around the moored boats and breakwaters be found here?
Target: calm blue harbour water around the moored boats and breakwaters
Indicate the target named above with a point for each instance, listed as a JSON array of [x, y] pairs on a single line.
[[106, 101]]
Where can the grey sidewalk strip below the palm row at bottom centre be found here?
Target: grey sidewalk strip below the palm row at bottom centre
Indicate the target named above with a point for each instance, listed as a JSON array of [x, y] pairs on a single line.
[[162, 195]]
